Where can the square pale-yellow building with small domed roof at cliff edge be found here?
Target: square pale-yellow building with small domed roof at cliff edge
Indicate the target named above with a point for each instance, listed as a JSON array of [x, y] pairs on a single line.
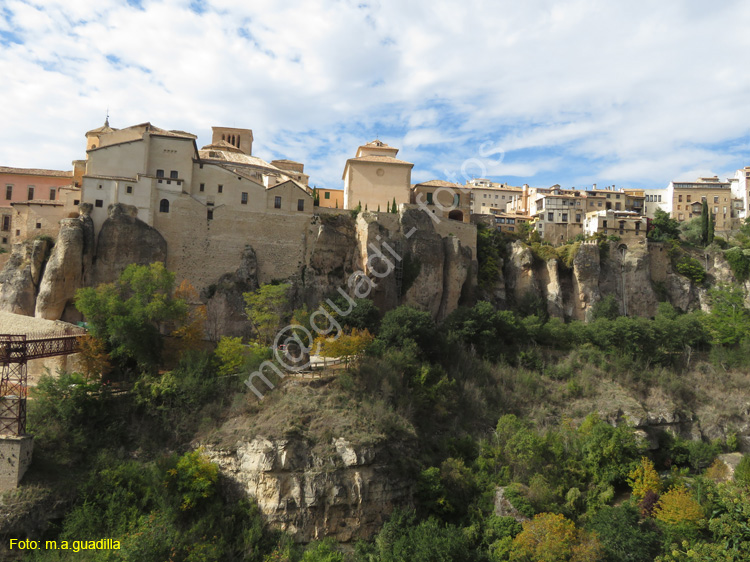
[[375, 177]]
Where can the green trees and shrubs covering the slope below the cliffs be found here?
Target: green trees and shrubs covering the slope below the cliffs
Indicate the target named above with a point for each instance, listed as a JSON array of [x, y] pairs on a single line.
[[486, 403]]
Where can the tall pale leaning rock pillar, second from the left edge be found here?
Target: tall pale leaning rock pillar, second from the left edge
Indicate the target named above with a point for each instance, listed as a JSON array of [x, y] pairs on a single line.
[[67, 267]]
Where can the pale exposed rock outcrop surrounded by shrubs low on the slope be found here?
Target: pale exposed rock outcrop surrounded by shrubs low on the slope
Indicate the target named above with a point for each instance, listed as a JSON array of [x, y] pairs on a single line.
[[345, 496]]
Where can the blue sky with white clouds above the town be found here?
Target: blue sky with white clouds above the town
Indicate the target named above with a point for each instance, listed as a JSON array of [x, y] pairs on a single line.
[[571, 92]]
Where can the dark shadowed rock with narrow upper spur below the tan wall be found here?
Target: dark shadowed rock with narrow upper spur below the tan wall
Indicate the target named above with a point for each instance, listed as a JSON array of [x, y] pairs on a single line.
[[225, 304]]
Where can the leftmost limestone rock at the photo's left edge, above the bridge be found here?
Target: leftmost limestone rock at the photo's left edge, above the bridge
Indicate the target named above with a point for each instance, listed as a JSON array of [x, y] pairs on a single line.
[[20, 278]]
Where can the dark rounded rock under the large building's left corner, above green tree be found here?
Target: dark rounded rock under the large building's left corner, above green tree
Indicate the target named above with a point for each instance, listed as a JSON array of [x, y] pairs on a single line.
[[124, 239]]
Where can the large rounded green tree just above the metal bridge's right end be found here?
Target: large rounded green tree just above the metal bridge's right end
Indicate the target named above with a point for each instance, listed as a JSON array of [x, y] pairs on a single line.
[[128, 315]]
